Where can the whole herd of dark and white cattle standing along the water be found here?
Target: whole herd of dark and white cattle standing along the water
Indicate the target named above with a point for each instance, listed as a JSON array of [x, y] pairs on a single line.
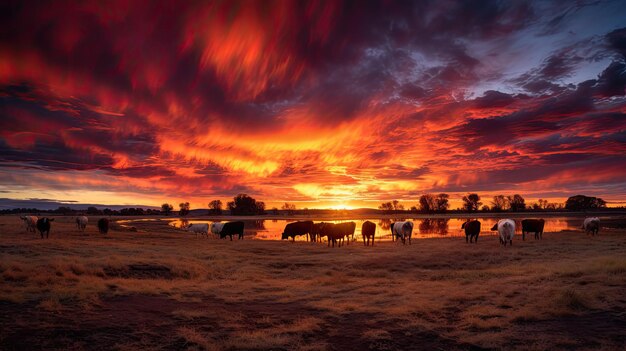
[[336, 233]]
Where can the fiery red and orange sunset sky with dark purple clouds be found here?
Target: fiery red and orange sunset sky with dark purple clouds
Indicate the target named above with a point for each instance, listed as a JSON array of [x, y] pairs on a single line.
[[321, 104]]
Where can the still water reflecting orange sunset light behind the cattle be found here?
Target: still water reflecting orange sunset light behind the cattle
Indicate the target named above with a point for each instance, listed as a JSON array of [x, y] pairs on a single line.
[[271, 229]]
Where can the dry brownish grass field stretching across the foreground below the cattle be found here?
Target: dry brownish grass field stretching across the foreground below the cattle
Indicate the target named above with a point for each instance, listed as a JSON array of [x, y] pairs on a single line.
[[159, 288]]
